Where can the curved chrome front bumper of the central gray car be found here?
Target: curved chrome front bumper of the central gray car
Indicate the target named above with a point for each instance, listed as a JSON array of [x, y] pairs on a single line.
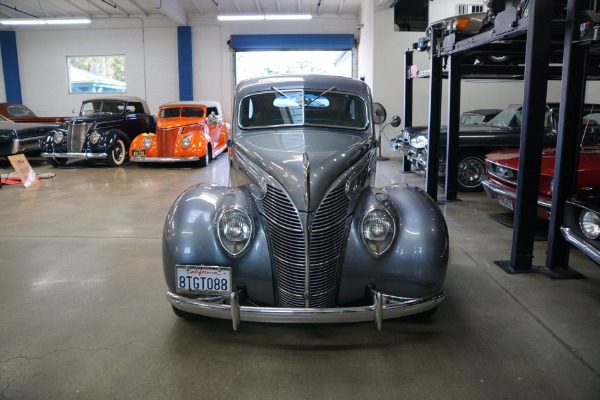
[[383, 307]]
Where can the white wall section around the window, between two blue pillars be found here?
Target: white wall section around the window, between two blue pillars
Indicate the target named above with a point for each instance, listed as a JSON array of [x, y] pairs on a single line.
[[149, 46]]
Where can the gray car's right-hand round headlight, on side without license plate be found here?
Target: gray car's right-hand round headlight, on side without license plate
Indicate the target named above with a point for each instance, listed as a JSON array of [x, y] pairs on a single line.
[[377, 231]]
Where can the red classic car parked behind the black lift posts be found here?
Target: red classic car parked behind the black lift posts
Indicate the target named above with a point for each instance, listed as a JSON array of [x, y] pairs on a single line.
[[502, 172]]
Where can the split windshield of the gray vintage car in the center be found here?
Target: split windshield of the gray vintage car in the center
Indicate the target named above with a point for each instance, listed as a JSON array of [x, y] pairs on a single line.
[[297, 107]]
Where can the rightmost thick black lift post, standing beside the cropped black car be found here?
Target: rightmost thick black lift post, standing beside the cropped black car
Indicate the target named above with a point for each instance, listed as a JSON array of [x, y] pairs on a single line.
[[567, 146]]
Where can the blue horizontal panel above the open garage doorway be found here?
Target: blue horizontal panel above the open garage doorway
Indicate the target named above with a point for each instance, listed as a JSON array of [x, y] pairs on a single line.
[[291, 42]]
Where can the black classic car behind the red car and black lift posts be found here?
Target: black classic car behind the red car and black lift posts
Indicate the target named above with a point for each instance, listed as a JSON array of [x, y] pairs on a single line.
[[501, 132]]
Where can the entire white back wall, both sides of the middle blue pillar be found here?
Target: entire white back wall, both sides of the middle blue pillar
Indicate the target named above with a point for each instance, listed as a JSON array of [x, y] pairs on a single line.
[[150, 49]]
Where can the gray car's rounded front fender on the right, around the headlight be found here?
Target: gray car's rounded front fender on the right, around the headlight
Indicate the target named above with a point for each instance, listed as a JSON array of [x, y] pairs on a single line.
[[415, 265]]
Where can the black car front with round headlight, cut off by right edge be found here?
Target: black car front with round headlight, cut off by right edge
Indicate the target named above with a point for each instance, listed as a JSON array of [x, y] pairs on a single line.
[[581, 226]]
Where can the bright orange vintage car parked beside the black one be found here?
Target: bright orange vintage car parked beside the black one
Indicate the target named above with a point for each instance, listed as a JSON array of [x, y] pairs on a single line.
[[186, 131]]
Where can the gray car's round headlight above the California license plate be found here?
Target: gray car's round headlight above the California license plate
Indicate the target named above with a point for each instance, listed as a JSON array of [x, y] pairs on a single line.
[[235, 231]]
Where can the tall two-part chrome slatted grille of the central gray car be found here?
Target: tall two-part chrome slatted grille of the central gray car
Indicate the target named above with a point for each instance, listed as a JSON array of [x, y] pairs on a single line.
[[327, 237]]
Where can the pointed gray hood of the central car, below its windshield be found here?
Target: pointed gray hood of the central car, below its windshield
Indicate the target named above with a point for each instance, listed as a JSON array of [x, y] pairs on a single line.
[[282, 155]]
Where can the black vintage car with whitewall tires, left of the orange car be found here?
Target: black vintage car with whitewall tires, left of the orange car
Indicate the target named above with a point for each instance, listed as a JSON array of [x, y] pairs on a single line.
[[103, 130]]
